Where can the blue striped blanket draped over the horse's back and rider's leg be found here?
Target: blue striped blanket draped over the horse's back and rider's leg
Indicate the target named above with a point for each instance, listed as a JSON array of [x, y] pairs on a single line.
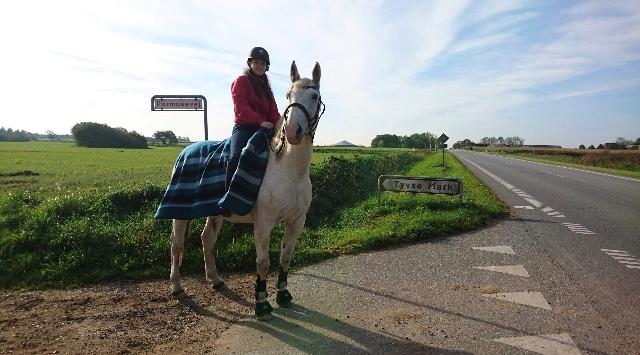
[[197, 187]]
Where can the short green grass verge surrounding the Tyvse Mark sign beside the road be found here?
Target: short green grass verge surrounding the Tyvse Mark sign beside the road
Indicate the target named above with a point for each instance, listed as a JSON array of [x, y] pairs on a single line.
[[369, 225]]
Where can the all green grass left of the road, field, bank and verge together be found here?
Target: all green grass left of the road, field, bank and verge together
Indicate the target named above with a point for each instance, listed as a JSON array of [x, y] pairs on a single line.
[[86, 215]]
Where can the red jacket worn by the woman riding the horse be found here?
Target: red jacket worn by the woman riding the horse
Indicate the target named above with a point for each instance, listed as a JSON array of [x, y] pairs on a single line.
[[249, 108]]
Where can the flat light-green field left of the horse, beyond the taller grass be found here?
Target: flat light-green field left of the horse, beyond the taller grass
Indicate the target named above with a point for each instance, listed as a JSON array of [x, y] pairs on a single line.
[[54, 167]]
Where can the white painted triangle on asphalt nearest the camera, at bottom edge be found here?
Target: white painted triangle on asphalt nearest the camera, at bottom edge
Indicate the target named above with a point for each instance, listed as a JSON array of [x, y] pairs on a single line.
[[544, 344]]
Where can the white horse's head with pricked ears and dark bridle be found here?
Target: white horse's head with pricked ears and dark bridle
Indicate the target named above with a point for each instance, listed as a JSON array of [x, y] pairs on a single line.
[[303, 113]]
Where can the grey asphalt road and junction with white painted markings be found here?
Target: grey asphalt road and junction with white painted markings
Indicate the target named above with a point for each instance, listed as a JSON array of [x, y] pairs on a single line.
[[561, 276]]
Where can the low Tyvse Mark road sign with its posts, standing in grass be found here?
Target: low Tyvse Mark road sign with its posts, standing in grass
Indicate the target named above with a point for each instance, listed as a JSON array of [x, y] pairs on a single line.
[[419, 184]]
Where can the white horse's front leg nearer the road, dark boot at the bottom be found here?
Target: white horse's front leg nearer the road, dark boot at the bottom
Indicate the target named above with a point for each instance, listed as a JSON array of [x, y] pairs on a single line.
[[291, 233]]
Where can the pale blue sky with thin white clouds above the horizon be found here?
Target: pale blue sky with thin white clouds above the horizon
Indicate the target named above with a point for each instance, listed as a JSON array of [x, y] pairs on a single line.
[[552, 72]]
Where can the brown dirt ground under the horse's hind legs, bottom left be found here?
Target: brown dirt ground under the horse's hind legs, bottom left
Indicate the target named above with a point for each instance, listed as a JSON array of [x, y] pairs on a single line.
[[123, 318]]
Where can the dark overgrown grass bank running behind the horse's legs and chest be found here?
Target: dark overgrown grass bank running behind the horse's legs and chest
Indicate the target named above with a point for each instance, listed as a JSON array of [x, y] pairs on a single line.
[[89, 236]]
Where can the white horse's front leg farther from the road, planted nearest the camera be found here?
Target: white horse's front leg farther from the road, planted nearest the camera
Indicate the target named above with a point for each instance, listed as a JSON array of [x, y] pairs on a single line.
[[262, 233]]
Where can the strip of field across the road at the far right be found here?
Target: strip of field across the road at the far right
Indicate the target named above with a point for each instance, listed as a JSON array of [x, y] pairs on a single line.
[[616, 162]]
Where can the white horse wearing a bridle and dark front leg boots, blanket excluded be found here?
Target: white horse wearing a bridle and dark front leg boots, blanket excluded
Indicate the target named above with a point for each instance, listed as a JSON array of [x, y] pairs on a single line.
[[284, 196]]
